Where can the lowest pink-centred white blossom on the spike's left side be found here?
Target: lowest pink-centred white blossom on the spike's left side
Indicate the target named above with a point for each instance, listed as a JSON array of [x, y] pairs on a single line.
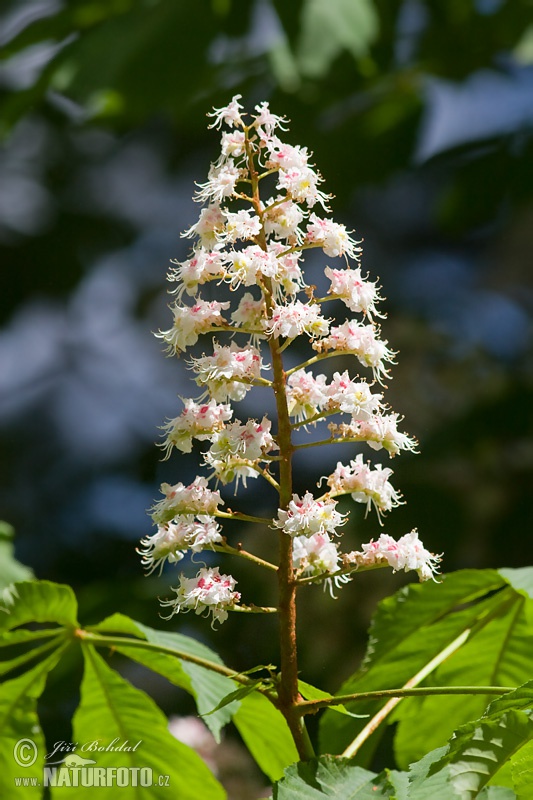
[[207, 593]]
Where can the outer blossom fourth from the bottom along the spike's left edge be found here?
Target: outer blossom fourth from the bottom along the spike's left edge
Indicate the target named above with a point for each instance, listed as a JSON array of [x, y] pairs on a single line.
[[196, 421]]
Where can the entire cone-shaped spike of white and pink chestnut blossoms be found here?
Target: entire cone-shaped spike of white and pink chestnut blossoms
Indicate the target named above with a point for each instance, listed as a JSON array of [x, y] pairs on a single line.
[[263, 208]]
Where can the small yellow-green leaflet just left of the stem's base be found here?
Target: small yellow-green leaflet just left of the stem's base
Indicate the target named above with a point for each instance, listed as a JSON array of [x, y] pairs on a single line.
[[266, 735]]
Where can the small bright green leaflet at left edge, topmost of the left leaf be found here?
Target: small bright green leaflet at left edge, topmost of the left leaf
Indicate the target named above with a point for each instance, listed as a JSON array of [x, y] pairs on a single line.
[[39, 601]]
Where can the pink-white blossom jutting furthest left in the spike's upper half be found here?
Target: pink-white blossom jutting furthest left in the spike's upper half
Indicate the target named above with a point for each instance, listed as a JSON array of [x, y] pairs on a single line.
[[191, 321]]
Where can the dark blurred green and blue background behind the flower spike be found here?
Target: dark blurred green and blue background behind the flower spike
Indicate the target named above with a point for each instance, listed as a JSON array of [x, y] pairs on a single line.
[[420, 117]]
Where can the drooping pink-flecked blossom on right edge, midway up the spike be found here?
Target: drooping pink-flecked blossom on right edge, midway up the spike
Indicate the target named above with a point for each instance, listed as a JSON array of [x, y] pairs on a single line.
[[361, 340]]
